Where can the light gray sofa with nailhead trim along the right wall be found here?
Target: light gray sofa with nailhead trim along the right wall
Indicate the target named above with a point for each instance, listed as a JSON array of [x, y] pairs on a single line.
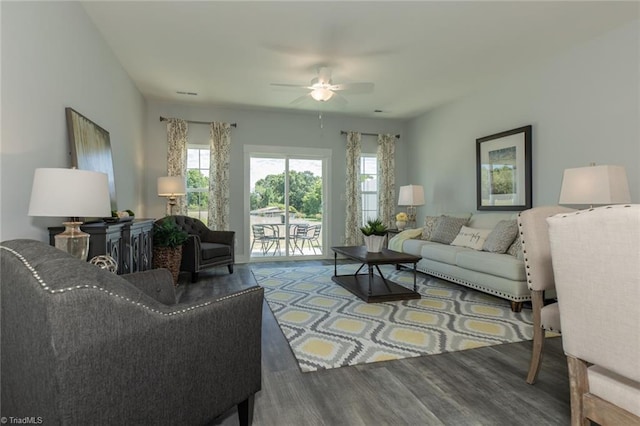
[[500, 274]]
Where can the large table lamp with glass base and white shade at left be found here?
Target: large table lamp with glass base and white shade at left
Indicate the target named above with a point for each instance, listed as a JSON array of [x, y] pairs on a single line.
[[70, 193]]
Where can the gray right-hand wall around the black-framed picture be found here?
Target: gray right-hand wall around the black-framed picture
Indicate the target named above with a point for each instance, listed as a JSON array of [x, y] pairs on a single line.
[[583, 105]]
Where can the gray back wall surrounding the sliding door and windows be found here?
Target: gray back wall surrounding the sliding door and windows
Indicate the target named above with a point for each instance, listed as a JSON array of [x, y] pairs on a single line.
[[265, 128]]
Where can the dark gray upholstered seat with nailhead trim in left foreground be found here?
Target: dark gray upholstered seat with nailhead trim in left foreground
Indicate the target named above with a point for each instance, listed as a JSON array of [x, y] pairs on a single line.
[[81, 345]]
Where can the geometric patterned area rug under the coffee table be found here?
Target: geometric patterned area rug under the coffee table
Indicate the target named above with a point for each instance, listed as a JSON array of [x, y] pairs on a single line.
[[328, 327]]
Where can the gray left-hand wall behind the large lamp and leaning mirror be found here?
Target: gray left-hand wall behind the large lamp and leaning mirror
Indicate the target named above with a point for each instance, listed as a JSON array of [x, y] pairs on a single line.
[[53, 57]]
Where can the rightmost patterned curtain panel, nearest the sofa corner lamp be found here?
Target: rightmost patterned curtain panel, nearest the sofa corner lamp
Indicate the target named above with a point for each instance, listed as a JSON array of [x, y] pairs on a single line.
[[386, 173]]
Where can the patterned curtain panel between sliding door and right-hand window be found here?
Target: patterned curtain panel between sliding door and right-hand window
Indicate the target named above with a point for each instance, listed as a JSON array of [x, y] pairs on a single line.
[[353, 236]]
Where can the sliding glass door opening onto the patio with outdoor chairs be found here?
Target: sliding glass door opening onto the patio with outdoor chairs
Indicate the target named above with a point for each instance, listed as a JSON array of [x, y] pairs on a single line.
[[286, 217]]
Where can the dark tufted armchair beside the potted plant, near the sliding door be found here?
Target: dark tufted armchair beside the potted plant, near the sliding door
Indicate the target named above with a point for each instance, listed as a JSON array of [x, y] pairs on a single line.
[[204, 248]]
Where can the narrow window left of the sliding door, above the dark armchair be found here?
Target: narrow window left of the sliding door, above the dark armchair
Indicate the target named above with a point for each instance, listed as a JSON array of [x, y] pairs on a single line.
[[198, 182]]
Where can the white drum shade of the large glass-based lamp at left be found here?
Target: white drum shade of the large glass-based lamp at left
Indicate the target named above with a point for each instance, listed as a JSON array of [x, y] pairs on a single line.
[[70, 193]]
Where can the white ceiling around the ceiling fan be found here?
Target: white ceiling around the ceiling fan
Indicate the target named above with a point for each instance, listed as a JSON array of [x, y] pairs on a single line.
[[418, 54]]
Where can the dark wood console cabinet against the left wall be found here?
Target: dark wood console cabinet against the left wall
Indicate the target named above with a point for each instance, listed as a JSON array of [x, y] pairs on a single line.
[[130, 243]]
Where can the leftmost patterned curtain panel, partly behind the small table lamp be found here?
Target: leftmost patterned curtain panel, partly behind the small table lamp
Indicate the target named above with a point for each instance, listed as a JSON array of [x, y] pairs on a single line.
[[177, 158]]
